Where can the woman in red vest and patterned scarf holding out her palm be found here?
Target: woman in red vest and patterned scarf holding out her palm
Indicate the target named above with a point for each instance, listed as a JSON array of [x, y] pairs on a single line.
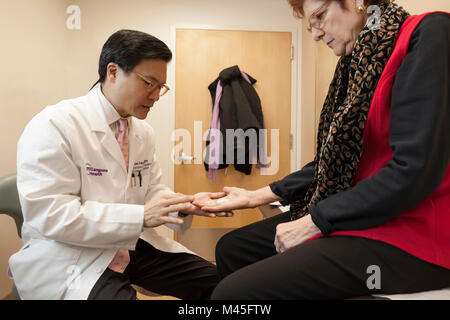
[[371, 213]]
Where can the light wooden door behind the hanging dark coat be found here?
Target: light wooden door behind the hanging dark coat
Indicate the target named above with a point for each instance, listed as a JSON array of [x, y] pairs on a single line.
[[200, 56]]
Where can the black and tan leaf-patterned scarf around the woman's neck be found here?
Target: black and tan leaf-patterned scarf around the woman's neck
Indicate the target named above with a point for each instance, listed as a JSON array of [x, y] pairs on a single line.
[[343, 117]]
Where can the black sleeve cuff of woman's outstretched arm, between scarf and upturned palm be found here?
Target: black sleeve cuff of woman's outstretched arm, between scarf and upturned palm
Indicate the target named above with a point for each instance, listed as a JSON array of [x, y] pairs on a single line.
[[295, 185]]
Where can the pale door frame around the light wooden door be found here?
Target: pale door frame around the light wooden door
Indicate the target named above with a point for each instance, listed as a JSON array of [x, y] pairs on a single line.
[[296, 112]]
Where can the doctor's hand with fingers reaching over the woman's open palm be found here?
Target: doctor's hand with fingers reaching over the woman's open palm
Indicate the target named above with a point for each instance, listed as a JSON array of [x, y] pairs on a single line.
[[157, 209]]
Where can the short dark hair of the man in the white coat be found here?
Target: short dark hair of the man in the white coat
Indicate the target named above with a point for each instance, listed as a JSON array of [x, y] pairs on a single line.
[[128, 48]]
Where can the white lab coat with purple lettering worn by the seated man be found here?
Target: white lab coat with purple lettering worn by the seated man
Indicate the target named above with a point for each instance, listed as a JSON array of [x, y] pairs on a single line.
[[79, 202]]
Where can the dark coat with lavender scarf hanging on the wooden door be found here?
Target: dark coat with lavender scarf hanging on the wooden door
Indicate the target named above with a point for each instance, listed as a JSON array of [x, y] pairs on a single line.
[[239, 108]]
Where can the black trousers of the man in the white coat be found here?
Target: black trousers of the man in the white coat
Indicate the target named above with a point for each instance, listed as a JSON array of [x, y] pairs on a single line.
[[180, 275]]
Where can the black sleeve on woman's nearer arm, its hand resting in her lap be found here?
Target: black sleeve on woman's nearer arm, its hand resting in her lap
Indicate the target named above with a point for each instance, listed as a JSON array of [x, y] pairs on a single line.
[[419, 137]]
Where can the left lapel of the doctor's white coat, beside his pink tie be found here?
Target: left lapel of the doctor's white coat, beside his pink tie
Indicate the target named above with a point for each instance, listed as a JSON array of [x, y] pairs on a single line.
[[100, 126]]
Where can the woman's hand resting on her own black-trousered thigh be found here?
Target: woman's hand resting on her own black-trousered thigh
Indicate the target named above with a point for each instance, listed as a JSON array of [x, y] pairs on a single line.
[[295, 232]]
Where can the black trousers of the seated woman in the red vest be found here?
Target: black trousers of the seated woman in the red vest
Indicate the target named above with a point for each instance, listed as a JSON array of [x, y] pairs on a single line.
[[325, 268]]
